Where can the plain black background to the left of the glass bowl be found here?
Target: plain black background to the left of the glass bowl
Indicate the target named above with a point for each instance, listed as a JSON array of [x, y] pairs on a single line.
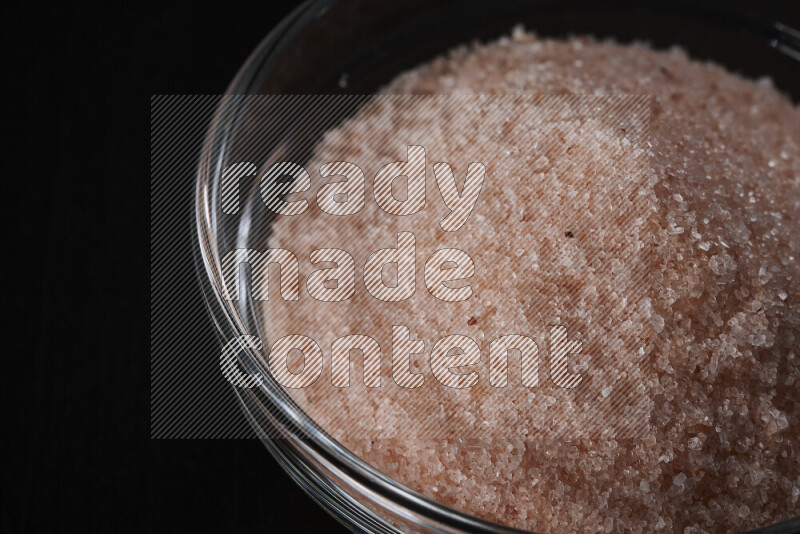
[[81, 80]]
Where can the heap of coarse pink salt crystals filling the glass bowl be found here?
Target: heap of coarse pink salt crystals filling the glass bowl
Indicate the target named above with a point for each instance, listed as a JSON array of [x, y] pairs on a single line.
[[721, 322]]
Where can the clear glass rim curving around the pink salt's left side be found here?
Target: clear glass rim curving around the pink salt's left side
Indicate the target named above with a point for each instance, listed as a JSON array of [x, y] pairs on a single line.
[[302, 452]]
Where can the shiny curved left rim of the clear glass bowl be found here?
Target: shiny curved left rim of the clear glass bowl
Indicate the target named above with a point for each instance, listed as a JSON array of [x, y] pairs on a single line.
[[315, 441]]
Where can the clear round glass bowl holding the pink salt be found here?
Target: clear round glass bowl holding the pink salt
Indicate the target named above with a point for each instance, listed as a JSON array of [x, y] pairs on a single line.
[[355, 47]]
